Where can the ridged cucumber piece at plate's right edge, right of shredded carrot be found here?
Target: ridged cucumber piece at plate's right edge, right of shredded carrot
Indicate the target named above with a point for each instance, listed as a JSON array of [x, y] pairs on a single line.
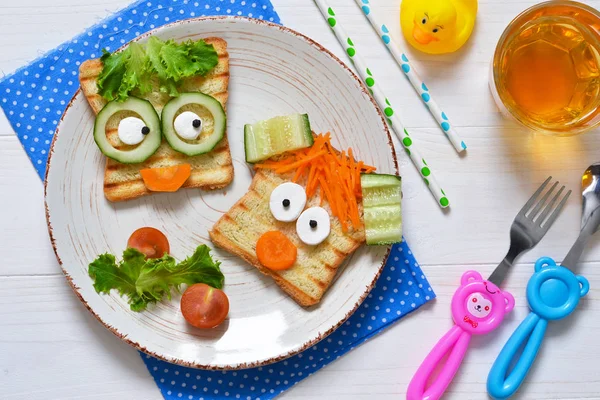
[[382, 208]]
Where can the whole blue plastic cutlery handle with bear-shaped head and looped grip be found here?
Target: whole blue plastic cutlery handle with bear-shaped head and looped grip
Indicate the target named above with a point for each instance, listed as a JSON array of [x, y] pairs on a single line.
[[553, 292]]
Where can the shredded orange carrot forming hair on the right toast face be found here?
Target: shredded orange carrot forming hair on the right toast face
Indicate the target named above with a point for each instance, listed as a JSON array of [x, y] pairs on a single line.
[[335, 175]]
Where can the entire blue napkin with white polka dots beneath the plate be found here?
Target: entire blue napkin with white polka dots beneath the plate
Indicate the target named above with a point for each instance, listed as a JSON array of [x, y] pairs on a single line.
[[34, 98]]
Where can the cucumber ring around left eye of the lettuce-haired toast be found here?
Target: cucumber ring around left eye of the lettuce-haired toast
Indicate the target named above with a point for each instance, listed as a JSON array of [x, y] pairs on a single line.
[[144, 150]]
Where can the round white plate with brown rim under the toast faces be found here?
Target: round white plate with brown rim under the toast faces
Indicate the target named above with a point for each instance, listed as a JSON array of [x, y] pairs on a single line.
[[274, 71]]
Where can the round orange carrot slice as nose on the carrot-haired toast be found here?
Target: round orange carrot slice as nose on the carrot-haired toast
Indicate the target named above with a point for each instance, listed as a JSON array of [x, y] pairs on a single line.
[[275, 251]]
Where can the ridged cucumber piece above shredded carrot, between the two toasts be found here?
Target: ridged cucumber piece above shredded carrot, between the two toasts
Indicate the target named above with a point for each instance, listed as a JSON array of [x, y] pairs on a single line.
[[274, 136]]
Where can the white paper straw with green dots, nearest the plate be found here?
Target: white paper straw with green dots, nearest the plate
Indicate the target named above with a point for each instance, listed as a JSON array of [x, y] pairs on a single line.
[[393, 119]]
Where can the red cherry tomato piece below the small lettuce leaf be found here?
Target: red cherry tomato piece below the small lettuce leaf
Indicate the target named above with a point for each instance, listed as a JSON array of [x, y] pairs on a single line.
[[204, 306]]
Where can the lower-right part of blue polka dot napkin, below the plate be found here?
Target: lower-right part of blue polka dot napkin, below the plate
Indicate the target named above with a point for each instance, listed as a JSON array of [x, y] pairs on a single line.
[[401, 289]]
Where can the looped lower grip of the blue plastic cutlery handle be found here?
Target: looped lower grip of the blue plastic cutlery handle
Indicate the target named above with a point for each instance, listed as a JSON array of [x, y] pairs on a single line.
[[532, 330]]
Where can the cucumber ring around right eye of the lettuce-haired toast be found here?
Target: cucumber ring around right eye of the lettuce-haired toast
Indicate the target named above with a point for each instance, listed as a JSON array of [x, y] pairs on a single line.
[[212, 132]]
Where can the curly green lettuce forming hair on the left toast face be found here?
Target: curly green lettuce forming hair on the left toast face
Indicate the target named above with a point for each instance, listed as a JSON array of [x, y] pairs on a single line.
[[165, 62]]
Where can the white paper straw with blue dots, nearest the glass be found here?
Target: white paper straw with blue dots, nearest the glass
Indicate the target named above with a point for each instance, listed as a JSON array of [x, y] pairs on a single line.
[[413, 77]]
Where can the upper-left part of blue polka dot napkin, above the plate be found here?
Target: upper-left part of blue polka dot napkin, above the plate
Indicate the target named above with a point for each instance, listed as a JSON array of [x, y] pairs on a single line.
[[35, 96]]
